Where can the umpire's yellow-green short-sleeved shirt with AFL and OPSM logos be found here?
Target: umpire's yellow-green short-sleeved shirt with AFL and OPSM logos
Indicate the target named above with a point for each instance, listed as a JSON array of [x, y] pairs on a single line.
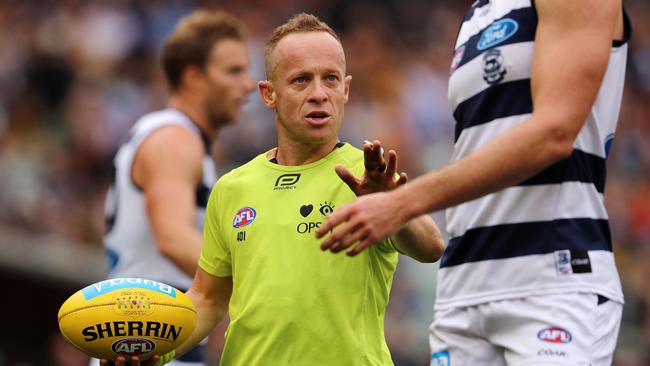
[[293, 304]]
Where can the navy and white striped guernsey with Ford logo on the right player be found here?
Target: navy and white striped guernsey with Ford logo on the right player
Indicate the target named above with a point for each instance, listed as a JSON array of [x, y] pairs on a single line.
[[550, 233]]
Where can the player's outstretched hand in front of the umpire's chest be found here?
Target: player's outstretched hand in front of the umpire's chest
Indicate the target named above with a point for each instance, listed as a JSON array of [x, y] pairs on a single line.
[[366, 221]]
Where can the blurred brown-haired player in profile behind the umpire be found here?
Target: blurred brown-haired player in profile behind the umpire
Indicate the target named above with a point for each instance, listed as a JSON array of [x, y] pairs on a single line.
[[163, 173]]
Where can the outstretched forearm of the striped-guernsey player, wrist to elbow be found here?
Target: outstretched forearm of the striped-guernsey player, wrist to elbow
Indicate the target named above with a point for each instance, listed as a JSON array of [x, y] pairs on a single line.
[[516, 155]]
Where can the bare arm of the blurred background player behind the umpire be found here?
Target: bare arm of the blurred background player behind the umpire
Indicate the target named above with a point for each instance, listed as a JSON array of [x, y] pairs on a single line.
[[168, 169]]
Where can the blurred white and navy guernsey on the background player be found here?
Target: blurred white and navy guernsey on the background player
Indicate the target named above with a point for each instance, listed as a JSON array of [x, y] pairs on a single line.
[[129, 240]]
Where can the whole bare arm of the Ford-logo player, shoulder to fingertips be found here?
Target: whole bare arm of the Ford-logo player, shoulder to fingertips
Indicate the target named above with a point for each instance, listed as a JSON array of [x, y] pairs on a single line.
[[572, 48]]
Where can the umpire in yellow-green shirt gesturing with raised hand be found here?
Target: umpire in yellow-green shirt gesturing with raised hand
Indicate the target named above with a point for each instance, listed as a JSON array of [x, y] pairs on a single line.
[[289, 302]]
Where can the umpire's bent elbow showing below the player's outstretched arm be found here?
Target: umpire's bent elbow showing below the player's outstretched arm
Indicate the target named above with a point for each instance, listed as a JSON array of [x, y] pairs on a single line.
[[420, 239]]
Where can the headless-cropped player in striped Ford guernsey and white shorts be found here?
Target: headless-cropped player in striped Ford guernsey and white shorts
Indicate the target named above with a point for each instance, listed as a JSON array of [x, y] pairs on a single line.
[[528, 276]]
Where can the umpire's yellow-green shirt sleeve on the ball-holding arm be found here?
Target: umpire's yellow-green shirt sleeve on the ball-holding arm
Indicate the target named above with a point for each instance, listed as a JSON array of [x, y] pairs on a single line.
[[215, 254]]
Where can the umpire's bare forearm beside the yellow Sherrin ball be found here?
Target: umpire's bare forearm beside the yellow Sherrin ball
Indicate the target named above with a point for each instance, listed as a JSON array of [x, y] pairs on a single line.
[[210, 295]]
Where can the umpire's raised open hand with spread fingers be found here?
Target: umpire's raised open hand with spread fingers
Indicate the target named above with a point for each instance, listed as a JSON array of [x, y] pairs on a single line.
[[379, 176]]
